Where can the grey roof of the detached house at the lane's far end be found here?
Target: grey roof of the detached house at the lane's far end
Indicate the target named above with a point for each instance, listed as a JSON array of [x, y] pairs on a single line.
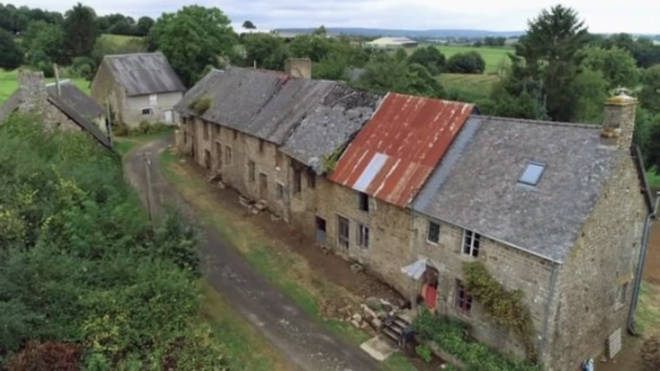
[[144, 73]]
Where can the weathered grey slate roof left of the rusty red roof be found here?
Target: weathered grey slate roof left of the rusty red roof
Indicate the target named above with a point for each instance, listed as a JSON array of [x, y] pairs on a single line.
[[308, 118]]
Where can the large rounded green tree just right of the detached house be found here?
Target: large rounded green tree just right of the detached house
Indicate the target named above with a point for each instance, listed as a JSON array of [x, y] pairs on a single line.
[[192, 39]]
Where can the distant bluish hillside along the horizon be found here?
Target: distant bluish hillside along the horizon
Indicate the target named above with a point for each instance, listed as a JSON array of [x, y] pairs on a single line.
[[373, 32]]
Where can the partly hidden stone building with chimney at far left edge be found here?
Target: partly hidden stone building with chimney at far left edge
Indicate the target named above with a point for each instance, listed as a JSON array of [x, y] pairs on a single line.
[[62, 105]]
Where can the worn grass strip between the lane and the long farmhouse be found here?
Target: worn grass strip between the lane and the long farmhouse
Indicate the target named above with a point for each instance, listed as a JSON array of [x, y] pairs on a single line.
[[276, 262]]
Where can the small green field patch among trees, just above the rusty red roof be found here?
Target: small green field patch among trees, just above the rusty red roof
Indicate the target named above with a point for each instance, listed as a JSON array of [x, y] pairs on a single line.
[[469, 87]]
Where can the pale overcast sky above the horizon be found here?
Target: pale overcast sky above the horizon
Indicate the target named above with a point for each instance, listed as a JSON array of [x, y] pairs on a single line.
[[601, 16]]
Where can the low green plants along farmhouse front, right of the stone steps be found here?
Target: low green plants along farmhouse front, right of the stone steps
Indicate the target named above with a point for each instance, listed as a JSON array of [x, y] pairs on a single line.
[[451, 336]]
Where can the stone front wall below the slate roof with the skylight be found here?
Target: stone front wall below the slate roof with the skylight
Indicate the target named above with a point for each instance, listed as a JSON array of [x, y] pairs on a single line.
[[513, 268]]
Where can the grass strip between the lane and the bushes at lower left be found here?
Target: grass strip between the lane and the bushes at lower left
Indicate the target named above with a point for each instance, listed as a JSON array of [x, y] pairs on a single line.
[[247, 349]]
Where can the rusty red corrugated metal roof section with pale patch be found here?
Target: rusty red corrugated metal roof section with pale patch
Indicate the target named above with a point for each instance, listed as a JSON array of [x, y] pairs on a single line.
[[399, 147]]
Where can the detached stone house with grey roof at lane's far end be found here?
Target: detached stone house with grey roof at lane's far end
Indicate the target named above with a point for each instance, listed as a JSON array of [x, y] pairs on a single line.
[[138, 87]]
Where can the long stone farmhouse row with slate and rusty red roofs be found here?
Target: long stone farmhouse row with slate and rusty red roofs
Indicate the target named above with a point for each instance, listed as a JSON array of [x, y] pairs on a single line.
[[413, 188]]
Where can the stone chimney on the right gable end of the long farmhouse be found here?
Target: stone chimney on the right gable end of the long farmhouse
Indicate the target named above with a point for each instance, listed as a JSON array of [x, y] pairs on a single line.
[[619, 120]]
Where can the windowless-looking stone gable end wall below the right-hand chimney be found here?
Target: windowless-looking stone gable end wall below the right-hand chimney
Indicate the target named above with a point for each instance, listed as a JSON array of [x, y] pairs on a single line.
[[595, 285]]
